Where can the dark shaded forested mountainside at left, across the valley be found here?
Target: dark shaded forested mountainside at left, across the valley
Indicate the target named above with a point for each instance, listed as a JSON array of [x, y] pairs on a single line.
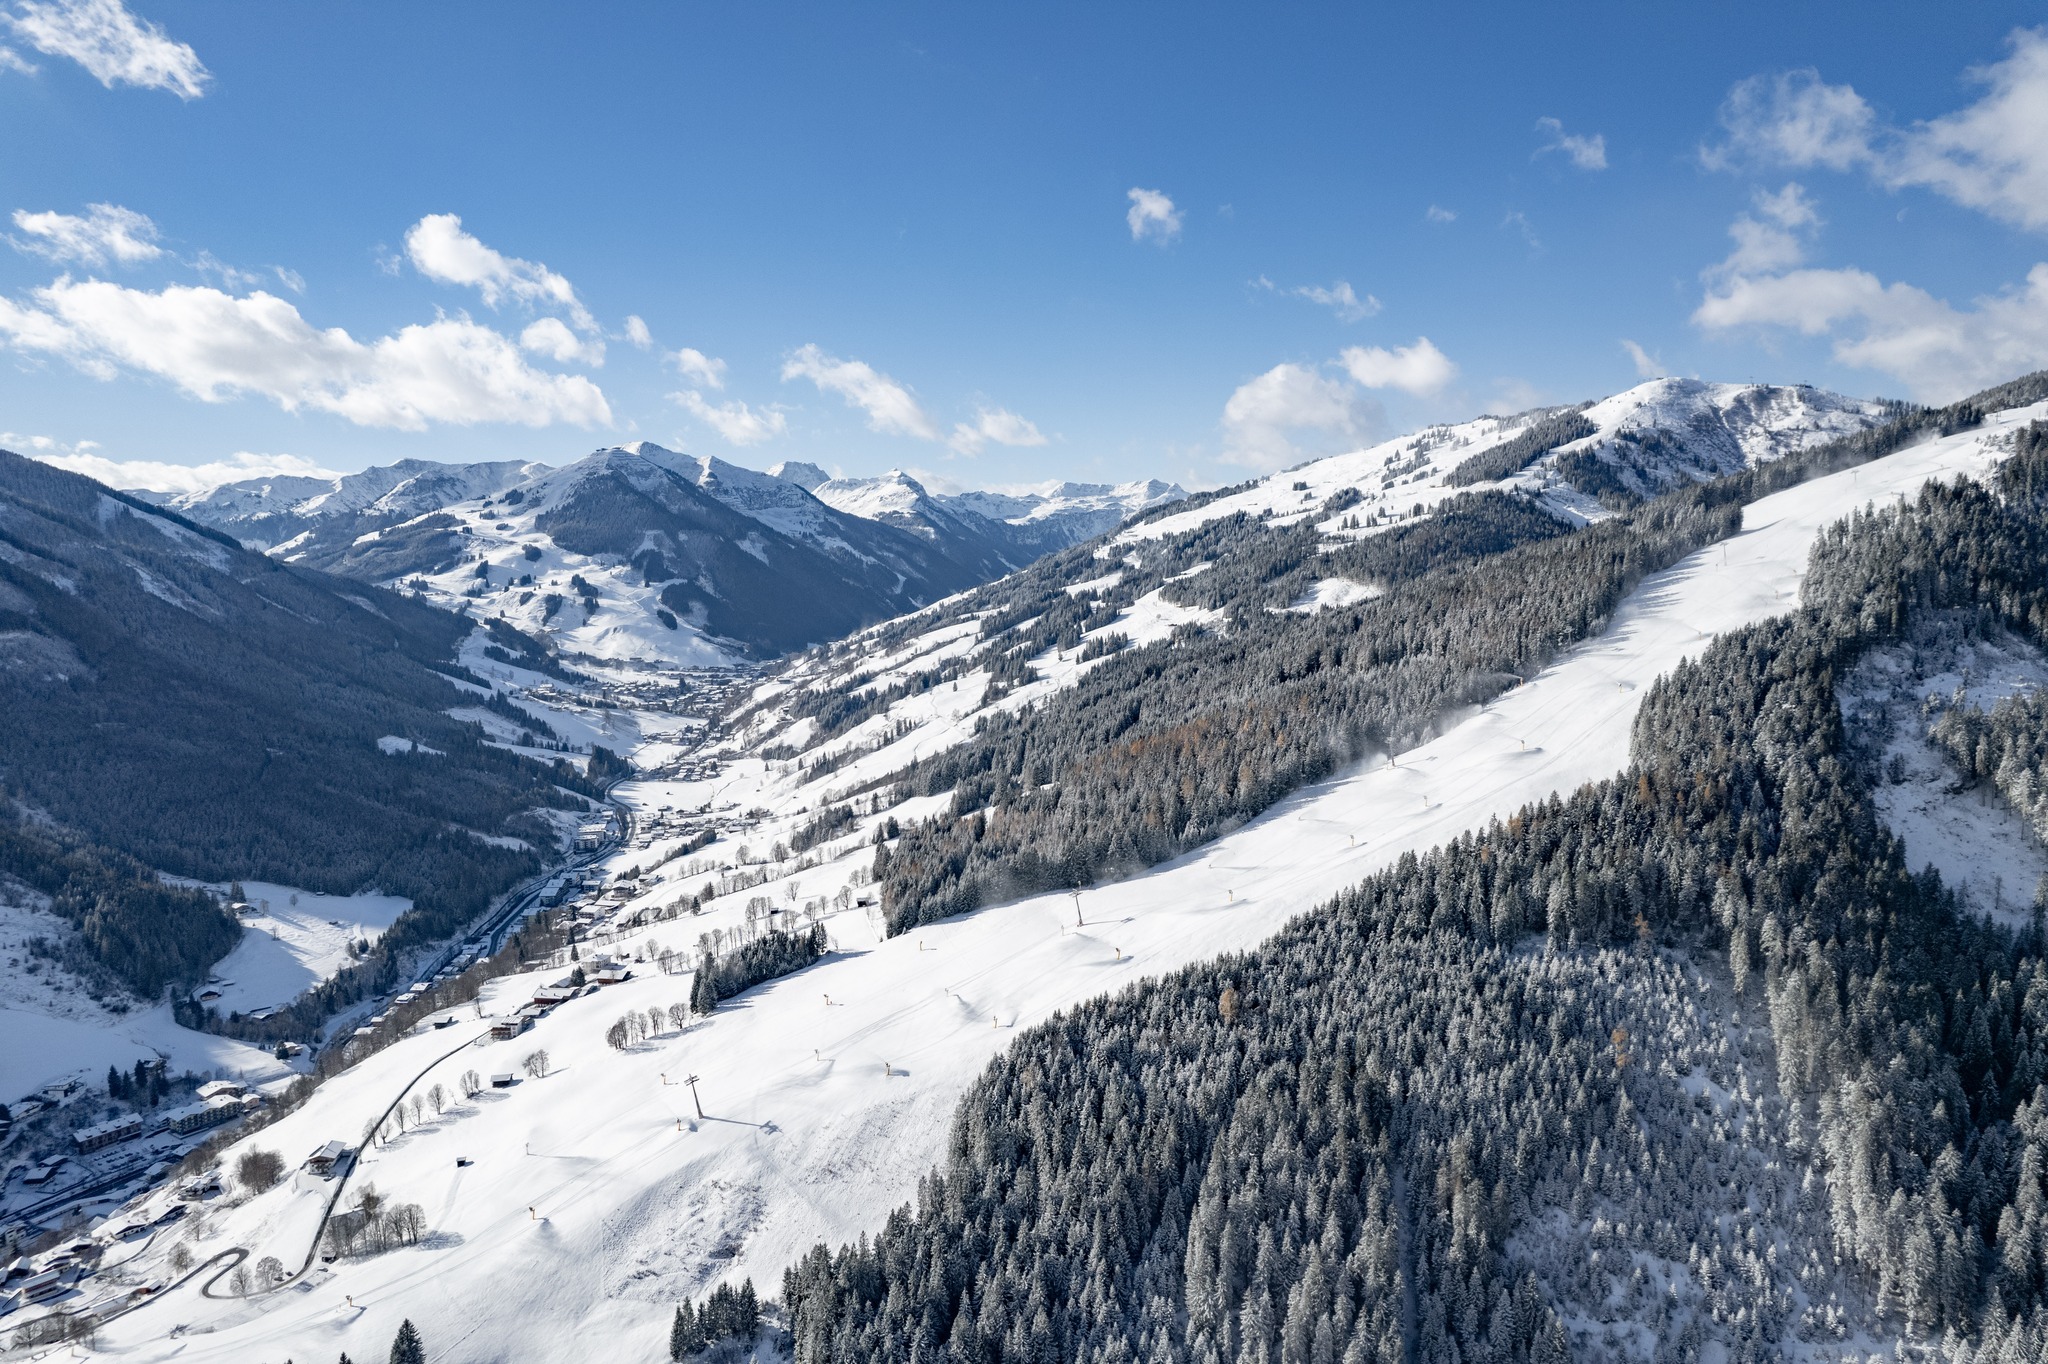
[[212, 714]]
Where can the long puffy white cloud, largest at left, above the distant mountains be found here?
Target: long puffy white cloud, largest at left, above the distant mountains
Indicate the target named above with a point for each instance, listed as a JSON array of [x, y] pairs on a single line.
[[216, 345]]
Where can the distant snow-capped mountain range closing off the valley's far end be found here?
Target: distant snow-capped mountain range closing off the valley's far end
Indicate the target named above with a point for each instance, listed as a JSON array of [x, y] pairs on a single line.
[[642, 552]]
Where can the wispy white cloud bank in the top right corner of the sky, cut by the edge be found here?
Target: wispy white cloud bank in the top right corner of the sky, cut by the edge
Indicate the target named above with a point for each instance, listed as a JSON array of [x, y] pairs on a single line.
[[1990, 157]]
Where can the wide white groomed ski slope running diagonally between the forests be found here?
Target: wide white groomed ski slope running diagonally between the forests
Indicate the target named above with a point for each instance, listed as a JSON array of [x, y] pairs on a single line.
[[593, 1199]]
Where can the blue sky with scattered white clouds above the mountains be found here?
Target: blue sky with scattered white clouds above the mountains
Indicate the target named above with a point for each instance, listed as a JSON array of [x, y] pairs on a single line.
[[994, 247]]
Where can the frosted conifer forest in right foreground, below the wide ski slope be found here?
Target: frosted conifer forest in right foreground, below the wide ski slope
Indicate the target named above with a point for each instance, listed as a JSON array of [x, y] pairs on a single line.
[[1357, 1142]]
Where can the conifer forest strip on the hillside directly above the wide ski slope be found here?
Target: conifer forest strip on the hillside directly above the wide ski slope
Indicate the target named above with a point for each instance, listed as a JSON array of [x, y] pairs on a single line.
[[1162, 749]]
